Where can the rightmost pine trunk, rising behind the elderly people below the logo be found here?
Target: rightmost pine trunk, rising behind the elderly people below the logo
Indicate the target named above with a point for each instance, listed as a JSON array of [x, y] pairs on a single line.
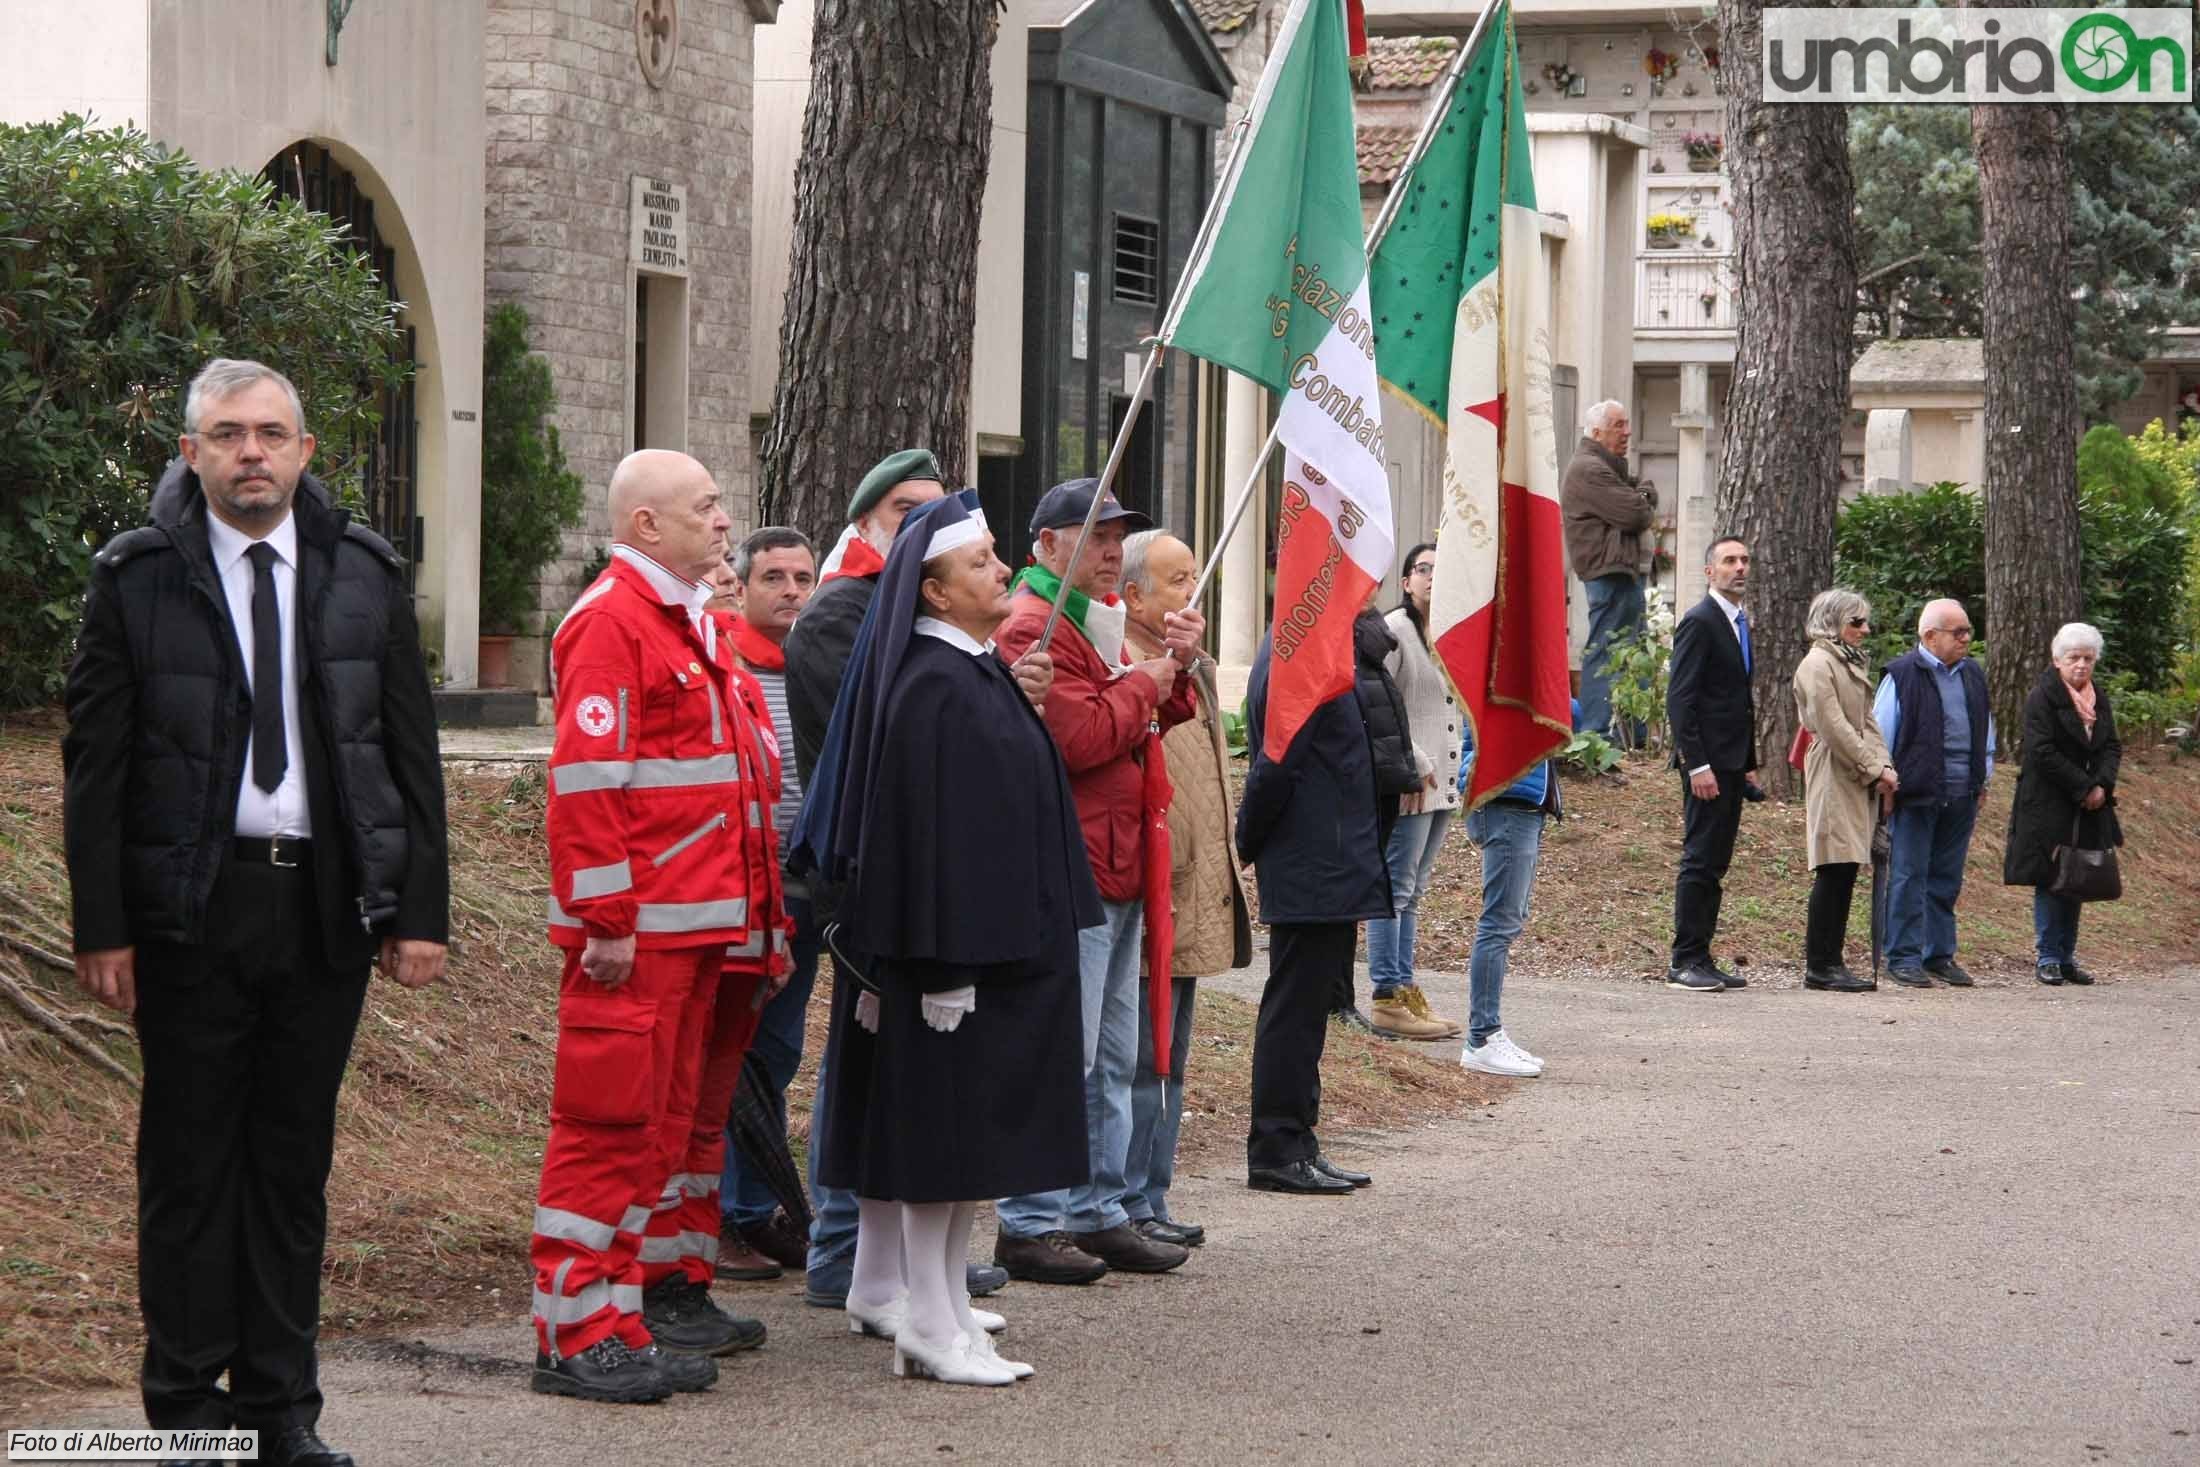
[[2032, 397]]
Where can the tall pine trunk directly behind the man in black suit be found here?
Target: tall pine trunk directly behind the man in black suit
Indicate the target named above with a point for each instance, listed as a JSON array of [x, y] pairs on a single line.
[[1796, 285]]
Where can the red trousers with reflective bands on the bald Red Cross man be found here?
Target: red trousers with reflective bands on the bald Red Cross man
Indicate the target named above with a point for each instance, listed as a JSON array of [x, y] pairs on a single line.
[[615, 1116]]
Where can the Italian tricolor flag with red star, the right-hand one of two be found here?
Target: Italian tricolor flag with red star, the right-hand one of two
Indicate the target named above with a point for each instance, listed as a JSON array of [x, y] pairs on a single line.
[[1462, 318]]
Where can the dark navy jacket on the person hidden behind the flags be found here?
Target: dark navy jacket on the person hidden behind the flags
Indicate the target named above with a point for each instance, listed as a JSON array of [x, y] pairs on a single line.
[[1310, 824]]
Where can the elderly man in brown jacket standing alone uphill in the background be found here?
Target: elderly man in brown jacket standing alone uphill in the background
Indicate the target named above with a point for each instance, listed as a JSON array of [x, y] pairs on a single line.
[[1607, 514]]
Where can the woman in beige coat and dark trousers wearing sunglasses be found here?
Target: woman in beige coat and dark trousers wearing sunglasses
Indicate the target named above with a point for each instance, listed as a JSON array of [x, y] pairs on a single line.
[[1845, 775]]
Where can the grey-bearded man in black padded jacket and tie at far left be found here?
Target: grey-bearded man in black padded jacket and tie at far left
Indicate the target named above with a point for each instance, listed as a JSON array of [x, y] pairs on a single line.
[[254, 815]]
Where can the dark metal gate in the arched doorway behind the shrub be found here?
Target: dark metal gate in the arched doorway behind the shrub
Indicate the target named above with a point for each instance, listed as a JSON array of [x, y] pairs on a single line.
[[393, 487]]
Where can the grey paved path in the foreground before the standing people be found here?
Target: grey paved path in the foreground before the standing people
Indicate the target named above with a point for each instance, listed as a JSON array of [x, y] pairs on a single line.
[[1739, 1228]]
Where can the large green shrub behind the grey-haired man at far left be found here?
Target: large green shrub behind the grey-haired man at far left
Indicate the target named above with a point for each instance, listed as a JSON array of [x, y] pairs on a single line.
[[122, 272]]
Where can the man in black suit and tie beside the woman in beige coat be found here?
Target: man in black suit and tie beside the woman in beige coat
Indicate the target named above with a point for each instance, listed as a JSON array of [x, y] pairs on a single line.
[[1715, 747]]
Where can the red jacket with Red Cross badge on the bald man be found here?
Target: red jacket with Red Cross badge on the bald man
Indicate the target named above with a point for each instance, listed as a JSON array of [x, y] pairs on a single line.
[[661, 786]]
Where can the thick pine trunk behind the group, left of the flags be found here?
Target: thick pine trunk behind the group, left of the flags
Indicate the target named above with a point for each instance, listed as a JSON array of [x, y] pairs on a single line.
[[874, 346]]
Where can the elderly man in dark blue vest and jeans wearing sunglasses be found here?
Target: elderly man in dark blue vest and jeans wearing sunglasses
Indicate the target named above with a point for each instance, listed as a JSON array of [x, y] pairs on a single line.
[[1933, 709]]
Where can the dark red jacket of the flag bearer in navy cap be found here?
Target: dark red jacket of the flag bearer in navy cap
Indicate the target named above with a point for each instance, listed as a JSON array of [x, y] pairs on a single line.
[[1101, 725]]
